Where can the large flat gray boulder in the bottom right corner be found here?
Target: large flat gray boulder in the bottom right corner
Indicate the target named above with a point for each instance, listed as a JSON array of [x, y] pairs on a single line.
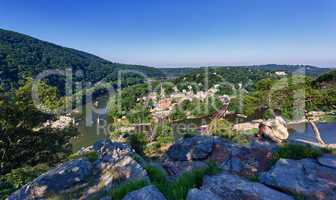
[[306, 178]]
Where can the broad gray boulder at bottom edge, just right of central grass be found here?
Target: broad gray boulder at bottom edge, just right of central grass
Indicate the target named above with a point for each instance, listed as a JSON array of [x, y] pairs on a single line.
[[228, 186]]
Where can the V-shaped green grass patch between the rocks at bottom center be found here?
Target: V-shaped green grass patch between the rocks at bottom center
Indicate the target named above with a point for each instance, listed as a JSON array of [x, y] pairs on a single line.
[[178, 189]]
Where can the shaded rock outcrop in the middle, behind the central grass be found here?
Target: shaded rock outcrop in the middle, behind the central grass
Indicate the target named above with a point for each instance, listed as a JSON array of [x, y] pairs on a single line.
[[195, 152]]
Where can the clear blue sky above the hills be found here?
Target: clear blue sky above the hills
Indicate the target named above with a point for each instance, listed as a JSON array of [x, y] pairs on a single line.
[[175, 33]]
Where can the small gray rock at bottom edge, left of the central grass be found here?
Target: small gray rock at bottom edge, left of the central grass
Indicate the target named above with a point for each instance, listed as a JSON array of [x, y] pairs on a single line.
[[147, 193]]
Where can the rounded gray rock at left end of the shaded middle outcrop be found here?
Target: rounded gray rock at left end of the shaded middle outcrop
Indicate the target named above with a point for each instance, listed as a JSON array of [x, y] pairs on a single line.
[[194, 148]]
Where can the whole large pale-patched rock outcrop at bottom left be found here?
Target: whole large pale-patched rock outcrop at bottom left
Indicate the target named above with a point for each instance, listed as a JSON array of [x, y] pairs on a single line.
[[81, 178]]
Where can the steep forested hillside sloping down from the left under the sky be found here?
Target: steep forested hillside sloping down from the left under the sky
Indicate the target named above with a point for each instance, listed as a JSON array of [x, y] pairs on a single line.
[[22, 55]]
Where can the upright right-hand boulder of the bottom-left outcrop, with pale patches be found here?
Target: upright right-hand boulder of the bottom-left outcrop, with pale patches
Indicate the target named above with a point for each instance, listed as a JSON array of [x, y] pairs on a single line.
[[116, 164]]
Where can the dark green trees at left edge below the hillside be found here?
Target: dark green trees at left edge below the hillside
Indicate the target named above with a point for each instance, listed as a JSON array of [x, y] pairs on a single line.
[[27, 147]]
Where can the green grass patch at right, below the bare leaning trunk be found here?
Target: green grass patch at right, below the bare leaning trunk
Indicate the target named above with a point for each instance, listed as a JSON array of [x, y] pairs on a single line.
[[296, 152]]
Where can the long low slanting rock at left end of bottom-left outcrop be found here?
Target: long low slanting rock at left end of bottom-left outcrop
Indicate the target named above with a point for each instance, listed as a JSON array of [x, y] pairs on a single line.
[[65, 176]]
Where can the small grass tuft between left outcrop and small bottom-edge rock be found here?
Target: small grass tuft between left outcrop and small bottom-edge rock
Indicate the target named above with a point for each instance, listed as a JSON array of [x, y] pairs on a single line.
[[120, 192]]
